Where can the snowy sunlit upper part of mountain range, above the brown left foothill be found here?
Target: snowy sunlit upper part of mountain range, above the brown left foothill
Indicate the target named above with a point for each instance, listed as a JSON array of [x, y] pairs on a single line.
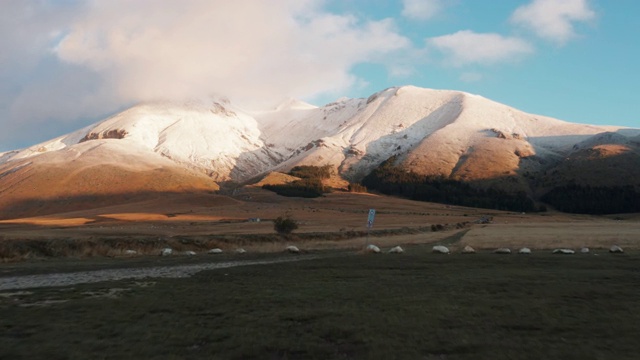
[[430, 131]]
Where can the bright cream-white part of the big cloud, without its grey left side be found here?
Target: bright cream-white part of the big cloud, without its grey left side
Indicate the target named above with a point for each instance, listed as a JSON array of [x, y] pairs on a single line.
[[244, 49]]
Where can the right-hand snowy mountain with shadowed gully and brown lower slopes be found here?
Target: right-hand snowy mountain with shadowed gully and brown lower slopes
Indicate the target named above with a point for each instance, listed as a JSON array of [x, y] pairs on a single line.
[[432, 132]]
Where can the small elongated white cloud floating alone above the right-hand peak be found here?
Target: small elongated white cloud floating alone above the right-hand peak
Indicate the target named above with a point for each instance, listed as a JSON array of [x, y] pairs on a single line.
[[467, 47]]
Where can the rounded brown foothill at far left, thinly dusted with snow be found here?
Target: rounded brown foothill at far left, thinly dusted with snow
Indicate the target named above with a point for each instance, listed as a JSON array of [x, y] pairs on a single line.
[[91, 174]]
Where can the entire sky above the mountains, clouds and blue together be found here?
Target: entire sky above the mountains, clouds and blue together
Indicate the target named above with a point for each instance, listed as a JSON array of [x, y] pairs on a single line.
[[65, 64]]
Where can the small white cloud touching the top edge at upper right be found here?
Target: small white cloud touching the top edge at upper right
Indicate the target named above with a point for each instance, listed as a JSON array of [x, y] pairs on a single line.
[[553, 19]]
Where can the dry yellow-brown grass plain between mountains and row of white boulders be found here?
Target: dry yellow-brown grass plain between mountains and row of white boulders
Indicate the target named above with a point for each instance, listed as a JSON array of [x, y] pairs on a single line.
[[337, 220]]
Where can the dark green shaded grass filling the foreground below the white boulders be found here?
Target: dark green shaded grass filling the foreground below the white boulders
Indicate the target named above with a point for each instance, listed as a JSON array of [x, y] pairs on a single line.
[[412, 306]]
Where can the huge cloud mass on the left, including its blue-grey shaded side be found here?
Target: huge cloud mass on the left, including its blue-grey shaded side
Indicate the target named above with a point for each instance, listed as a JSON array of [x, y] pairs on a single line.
[[69, 62]]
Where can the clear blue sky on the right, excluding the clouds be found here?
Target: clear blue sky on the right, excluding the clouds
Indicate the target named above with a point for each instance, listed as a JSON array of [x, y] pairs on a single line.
[[590, 77]]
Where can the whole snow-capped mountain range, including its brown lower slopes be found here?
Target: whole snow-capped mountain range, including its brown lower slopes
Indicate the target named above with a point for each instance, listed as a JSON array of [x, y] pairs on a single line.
[[441, 132]]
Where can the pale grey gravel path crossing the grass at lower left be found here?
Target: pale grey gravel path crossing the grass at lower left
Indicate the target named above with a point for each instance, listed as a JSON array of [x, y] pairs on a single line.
[[175, 271]]
